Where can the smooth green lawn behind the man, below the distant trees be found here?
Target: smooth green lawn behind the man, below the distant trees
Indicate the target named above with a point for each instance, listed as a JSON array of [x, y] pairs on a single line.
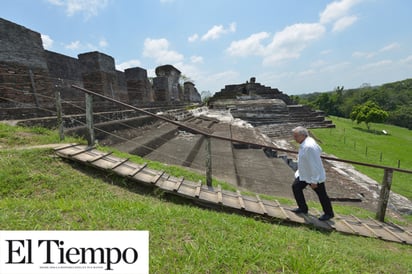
[[354, 142]]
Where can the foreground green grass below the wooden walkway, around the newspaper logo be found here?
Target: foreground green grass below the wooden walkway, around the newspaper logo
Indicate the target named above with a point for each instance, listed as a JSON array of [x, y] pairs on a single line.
[[40, 191]]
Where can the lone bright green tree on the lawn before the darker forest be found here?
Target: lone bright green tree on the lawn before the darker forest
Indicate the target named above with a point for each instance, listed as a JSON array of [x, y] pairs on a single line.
[[369, 112]]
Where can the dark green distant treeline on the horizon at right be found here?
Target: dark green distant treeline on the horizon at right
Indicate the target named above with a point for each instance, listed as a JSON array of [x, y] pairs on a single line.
[[395, 98]]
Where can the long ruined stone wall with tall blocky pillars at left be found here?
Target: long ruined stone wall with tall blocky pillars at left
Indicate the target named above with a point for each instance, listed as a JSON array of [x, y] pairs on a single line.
[[31, 75]]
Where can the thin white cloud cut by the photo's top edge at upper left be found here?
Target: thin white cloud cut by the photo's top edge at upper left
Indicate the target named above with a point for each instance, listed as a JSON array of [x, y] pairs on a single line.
[[89, 8]]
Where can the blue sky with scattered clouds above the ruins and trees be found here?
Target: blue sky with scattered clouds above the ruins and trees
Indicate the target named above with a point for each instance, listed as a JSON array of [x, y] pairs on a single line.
[[297, 46]]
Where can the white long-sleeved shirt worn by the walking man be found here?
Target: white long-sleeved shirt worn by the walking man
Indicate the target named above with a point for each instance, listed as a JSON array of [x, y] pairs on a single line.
[[310, 167]]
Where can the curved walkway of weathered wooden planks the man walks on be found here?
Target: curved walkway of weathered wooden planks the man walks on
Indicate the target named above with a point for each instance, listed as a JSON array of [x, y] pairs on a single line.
[[229, 200]]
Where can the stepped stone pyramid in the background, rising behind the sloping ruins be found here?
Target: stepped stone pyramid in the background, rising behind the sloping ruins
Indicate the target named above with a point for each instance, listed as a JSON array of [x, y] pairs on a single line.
[[267, 108]]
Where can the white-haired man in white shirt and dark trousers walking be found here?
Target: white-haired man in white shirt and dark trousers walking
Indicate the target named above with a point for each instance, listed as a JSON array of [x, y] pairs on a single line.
[[310, 172]]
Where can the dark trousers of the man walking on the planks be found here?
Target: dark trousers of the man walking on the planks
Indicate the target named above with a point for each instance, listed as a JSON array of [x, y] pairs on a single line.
[[298, 187]]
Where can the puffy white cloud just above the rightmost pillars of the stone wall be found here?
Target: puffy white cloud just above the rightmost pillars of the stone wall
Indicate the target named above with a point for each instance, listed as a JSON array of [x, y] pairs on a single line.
[[159, 50]]
